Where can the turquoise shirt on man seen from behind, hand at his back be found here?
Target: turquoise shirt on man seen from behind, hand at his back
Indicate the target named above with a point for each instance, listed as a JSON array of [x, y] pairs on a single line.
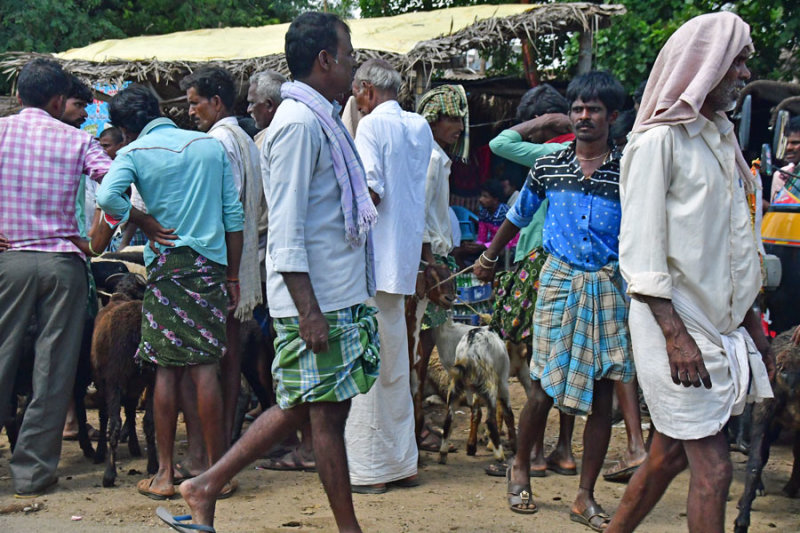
[[186, 183]]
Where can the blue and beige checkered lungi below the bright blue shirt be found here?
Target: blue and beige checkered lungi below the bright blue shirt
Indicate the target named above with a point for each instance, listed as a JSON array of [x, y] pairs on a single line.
[[580, 333]]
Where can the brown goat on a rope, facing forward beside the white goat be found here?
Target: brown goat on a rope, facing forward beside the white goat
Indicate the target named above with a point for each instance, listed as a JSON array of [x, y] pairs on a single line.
[[431, 287]]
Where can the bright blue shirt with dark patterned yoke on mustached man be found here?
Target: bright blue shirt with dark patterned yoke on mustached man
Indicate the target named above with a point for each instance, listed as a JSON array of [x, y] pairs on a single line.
[[583, 218]]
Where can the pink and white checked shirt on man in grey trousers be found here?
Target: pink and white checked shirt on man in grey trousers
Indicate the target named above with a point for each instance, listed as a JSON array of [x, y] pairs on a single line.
[[41, 162]]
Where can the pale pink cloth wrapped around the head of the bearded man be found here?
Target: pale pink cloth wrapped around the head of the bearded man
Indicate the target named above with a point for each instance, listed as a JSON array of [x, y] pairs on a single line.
[[692, 63]]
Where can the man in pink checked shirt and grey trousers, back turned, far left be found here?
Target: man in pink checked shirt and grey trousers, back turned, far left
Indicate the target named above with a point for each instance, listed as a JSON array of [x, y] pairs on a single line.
[[41, 271]]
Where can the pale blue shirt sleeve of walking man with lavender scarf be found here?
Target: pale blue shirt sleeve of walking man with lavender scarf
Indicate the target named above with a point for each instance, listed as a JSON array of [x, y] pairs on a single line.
[[290, 163]]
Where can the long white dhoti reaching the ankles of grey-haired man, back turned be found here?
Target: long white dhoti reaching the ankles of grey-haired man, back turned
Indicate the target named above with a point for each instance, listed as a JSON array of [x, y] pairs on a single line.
[[379, 435]]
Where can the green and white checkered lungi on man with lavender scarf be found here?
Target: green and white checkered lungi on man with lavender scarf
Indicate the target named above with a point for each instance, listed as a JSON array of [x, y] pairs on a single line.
[[349, 367]]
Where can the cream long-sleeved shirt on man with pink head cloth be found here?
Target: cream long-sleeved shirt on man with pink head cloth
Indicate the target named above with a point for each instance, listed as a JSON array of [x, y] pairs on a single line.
[[685, 220]]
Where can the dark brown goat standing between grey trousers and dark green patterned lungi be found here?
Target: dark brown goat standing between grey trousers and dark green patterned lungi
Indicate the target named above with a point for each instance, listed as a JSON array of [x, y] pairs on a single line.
[[119, 380]]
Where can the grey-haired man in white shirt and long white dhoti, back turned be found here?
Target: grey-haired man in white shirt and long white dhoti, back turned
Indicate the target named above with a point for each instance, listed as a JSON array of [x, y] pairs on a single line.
[[395, 147]]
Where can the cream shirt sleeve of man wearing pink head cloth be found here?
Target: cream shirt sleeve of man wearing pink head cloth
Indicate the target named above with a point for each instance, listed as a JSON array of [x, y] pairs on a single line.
[[645, 174]]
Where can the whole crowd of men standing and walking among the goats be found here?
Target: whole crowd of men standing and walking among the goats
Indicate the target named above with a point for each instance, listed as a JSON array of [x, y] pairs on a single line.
[[634, 268]]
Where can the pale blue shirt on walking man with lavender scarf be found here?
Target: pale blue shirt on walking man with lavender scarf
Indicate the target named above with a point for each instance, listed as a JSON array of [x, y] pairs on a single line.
[[306, 221]]
